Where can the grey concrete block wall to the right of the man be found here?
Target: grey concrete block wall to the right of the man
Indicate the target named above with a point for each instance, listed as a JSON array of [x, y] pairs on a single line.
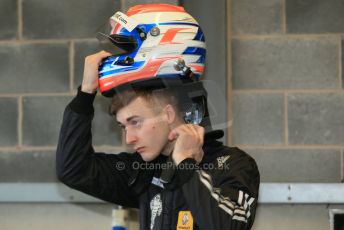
[[288, 98]]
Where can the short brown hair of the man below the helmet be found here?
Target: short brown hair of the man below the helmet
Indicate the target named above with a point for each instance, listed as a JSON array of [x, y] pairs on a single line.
[[155, 97]]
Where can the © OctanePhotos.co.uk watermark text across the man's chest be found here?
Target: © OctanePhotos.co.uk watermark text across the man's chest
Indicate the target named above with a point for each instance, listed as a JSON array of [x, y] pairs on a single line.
[[120, 165]]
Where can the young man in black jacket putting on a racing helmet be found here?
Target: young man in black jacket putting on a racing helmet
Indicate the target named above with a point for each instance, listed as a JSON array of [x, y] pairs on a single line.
[[179, 176]]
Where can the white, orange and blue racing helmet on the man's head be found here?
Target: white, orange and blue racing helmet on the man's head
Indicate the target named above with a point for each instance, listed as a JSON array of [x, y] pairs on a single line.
[[149, 42]]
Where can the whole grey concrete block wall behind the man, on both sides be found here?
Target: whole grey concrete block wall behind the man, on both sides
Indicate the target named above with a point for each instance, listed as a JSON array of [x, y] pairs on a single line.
[[287, 87]]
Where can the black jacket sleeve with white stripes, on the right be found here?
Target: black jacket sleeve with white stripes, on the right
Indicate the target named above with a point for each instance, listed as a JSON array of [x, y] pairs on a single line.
[[224, 193]]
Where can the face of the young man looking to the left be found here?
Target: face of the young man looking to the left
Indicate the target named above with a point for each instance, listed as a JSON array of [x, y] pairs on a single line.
[[146, 127]]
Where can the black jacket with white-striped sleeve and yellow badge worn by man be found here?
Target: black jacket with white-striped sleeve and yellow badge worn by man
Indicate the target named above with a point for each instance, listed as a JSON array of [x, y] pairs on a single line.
[[219, 193]]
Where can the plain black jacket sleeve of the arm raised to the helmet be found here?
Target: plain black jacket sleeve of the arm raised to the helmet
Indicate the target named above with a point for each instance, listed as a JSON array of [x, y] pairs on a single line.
[[101, 175]]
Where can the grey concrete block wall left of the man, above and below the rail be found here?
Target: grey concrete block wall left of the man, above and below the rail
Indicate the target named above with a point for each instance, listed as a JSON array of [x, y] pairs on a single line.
[[42, 49]]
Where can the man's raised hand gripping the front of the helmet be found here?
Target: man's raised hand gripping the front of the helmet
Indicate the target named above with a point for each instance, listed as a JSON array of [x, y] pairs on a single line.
[[90, 80]]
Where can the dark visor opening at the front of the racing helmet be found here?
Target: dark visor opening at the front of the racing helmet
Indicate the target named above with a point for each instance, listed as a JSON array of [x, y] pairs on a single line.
[[116, 44]]
